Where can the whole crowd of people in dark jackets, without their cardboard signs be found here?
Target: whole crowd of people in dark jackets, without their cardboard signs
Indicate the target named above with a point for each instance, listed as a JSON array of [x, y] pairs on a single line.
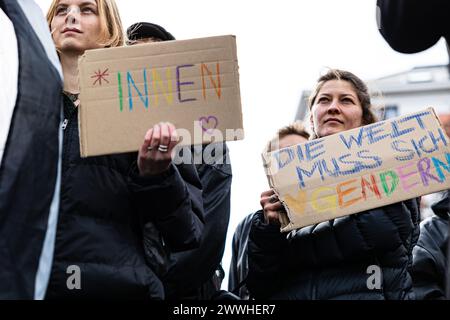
[[139, 226]]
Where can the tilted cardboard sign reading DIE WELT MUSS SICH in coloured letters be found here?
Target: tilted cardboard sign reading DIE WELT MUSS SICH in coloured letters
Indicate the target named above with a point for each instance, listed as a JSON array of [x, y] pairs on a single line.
[[360, 169]]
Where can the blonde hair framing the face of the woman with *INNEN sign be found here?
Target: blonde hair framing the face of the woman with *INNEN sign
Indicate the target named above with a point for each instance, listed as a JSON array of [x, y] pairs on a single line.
[[111, 30]]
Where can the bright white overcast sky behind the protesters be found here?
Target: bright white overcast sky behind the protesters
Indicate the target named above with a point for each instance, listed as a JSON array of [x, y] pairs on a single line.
[[283, 46]]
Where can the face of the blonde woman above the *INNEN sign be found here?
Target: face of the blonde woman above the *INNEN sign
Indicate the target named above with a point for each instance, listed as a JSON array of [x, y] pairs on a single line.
[[76, 26]]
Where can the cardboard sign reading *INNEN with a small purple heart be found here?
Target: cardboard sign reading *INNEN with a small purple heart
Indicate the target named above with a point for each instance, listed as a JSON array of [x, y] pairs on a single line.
[[125, 91]]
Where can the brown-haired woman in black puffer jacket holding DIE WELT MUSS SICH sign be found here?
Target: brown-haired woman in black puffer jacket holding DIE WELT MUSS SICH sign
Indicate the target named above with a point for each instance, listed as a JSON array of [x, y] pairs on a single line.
[[330, 260]]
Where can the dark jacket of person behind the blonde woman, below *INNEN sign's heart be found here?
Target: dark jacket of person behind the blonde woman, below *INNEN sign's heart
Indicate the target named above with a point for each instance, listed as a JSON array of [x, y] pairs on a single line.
[[193, 274]]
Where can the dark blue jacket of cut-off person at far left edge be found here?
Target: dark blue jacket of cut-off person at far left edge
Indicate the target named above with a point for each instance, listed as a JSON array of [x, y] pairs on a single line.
[[29, 167]]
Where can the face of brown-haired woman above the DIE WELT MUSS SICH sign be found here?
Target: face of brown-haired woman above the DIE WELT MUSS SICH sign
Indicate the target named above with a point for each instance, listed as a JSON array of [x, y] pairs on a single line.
[[336, 108]]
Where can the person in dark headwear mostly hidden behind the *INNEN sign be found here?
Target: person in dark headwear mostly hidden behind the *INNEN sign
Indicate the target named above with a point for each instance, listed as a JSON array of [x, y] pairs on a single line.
[[183, 276]]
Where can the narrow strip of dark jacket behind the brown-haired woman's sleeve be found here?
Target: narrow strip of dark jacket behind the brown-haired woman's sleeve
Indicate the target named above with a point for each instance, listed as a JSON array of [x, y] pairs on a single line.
[[239, 259]]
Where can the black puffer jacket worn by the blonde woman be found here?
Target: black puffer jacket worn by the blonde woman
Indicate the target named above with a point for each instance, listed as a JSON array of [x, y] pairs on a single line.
[[104, 205]]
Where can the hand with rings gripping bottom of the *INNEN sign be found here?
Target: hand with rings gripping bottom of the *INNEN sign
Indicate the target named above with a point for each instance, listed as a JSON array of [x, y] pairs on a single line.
[[155, 154]]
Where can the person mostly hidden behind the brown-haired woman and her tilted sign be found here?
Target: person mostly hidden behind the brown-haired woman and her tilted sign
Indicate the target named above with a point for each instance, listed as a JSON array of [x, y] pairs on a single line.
[[287, 136]]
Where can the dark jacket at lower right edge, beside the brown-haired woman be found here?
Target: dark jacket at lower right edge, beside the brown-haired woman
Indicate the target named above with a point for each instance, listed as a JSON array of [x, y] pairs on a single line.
[[430, 254]]
